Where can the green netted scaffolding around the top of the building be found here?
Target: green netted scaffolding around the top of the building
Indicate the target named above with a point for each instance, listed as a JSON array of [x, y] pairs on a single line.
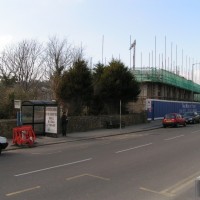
[[165, 77]]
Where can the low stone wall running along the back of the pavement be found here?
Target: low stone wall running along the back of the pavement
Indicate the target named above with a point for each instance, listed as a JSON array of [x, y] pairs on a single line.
[[80, 123]]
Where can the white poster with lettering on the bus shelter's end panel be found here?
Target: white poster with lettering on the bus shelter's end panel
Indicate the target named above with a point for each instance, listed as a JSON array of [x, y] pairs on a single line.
[[51, 120]]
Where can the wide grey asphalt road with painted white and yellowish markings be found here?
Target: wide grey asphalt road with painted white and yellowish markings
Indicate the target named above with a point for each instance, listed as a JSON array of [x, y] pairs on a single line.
[[154, 165]]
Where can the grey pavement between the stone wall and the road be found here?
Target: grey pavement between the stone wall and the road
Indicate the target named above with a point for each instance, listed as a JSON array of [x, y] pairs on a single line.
[[92, 134]]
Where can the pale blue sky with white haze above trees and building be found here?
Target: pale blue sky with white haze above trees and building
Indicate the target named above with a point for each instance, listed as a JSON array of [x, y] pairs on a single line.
[[106, 28]]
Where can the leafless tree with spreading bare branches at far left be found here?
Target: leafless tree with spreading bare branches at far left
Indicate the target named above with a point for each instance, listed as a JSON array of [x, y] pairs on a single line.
[[24, 62]]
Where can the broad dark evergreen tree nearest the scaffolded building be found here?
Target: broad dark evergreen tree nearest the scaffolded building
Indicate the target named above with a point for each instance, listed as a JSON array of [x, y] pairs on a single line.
[[117, 83]]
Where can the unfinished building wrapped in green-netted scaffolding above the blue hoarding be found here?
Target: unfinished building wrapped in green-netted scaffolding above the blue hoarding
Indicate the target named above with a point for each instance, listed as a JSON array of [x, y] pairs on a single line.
[[165, 85]]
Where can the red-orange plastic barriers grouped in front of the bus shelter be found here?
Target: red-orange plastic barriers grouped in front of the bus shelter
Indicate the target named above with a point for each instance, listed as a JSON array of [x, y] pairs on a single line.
[[23, 135]]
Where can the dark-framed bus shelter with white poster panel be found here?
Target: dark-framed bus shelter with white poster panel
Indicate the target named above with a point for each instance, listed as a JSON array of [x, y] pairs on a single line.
[[42, 116]]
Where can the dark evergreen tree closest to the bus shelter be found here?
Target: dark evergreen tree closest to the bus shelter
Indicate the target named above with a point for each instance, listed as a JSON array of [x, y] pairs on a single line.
[[76, 87]]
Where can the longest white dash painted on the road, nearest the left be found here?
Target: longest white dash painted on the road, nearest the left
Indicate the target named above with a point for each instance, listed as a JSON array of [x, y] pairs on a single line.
[[53, 167]]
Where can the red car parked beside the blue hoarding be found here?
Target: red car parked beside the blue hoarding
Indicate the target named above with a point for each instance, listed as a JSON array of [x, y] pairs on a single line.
[[173, 119]]
